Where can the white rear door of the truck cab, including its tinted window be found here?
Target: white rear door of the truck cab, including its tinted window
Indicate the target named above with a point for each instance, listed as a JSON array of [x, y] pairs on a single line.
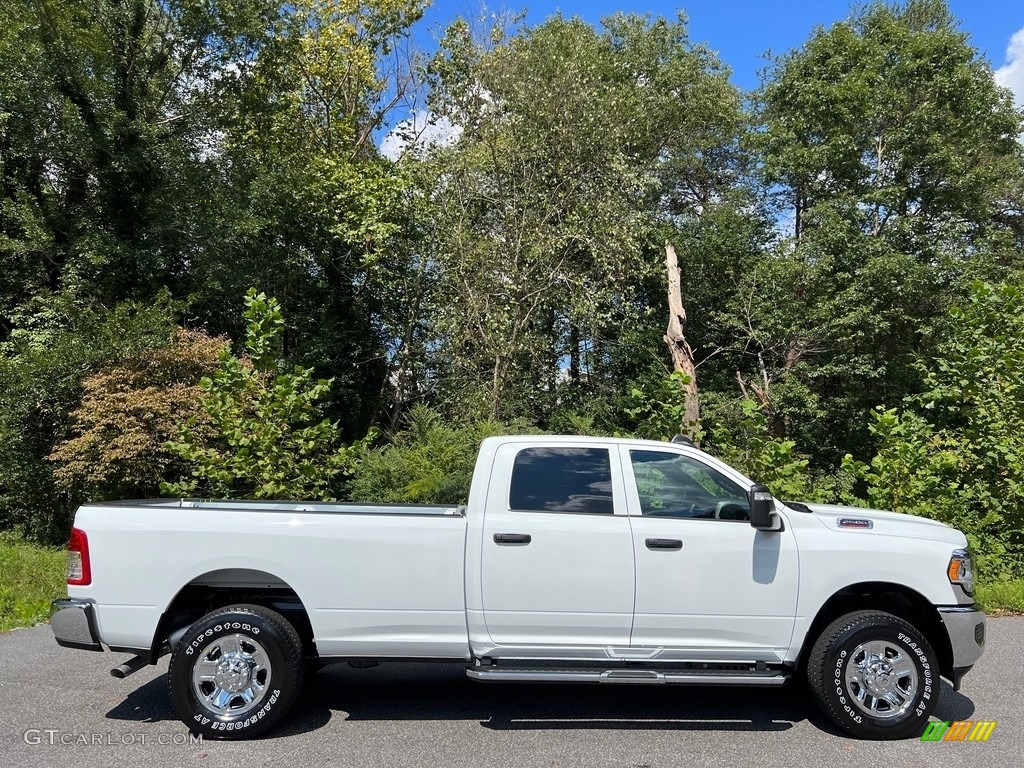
[[557, 559]]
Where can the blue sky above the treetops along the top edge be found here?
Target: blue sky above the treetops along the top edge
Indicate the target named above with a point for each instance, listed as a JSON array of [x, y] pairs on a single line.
[[741, 31]]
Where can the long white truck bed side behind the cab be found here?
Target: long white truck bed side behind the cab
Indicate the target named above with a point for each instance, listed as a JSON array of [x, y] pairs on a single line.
[[386, 580]]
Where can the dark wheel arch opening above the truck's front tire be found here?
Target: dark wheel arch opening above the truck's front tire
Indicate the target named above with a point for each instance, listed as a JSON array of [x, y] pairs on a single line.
[[898, 600]]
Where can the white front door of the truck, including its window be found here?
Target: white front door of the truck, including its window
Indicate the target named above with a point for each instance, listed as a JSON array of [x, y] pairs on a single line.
[[708, 585]]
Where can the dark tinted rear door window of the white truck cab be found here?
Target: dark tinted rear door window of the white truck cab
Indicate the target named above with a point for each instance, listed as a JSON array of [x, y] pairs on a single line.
[[562, 480]]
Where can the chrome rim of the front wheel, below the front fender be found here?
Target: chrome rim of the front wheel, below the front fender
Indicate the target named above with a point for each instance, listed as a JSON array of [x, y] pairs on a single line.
[[882, 679]]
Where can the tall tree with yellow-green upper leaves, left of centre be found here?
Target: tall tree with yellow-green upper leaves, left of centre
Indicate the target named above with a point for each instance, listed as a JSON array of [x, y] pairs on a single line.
[[310, 212]]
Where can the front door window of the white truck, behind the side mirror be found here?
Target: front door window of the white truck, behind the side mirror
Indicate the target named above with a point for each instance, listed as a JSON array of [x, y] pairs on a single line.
[[674, 486]]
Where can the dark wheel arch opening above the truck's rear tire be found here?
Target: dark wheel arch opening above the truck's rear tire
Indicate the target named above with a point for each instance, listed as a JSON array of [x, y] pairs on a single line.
[[222, 587]]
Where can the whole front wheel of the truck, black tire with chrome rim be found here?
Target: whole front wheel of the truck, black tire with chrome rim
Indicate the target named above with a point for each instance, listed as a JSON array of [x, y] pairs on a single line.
[[875, 676]]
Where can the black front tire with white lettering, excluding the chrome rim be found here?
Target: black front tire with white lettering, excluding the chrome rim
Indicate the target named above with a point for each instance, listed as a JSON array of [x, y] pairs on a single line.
[[836, 691]]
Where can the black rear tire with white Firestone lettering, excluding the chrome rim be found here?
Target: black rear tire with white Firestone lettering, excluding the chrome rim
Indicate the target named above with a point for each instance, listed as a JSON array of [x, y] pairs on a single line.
[[281, 686]]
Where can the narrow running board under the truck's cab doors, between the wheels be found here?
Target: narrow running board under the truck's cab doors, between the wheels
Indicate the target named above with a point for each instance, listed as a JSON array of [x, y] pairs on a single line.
[[625, 677]]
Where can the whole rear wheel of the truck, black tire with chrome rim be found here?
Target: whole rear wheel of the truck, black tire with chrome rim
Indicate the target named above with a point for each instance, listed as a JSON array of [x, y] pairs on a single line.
[[236, 673]]
